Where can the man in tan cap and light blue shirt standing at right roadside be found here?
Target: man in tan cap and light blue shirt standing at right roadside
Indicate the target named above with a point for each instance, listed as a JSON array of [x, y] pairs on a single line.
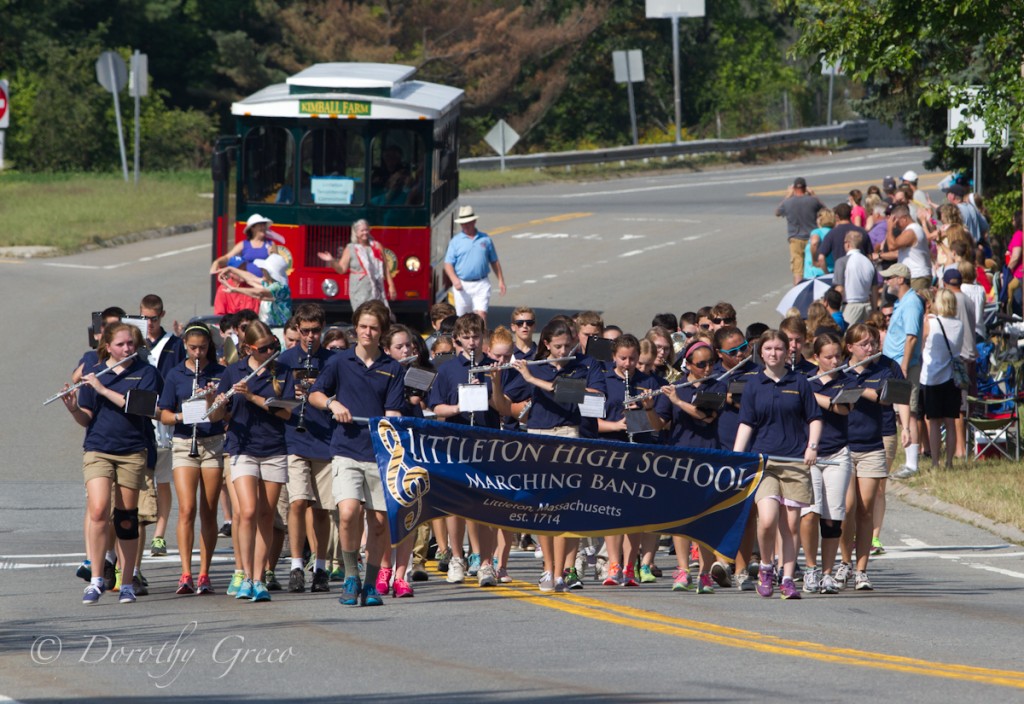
[[903, 345]]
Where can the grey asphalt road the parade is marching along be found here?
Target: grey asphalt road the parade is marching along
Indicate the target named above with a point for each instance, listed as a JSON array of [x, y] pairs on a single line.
[[944, 624]]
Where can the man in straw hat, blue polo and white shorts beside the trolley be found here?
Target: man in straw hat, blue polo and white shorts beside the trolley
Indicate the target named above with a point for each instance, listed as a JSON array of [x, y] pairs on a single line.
[[468, 262]]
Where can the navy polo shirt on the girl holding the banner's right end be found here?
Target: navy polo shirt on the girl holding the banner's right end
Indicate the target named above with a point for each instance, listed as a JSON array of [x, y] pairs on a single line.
[[779, 413]]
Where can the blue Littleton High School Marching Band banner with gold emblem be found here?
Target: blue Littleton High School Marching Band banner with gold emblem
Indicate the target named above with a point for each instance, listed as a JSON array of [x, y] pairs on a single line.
[[545, 485]]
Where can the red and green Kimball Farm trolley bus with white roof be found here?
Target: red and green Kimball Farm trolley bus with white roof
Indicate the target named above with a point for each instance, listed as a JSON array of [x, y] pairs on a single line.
[[335, 144]]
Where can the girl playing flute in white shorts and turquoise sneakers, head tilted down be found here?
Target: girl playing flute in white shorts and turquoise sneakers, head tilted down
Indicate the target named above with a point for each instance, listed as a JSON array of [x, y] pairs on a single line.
[[257, 446]]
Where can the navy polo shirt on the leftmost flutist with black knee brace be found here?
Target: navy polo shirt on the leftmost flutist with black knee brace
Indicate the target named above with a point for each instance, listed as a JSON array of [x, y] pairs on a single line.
[[112, 430]]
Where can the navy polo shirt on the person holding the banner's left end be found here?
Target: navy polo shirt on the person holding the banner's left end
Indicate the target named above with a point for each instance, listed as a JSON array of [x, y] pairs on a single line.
[[367, 392]]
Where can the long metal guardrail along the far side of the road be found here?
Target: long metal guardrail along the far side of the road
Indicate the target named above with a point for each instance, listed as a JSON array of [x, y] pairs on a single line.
[[851, 133]]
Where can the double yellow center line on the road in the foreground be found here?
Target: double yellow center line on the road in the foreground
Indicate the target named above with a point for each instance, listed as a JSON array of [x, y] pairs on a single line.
[[711, 634]]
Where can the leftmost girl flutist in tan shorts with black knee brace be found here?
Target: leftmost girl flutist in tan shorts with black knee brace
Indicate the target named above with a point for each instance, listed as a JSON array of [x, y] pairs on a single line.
[[116, 447]]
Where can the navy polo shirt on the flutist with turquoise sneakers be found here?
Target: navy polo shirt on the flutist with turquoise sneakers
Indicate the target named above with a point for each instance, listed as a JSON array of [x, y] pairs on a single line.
[[252, 429]]
